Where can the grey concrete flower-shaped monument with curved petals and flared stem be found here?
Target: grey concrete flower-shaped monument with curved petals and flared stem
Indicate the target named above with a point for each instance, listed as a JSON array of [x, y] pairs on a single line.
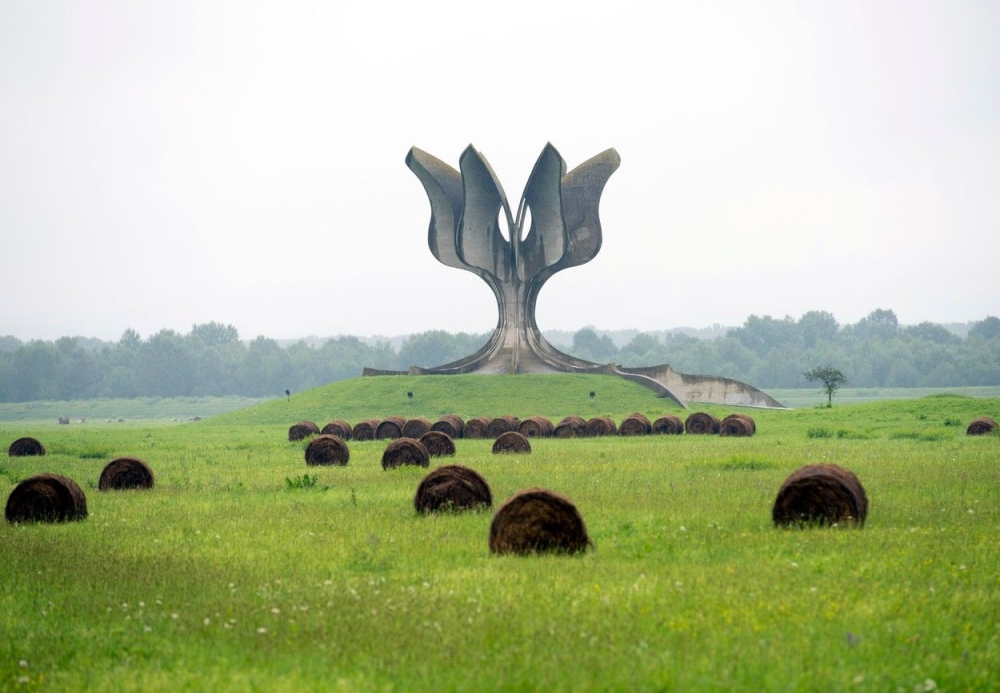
[[465, 232]]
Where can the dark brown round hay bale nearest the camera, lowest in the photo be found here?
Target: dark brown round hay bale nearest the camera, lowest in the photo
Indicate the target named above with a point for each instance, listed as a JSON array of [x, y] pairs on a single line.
[[537, 520]]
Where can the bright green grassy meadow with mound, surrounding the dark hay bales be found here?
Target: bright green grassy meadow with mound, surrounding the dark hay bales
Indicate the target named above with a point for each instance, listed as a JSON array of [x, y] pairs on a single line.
[[244, 569]]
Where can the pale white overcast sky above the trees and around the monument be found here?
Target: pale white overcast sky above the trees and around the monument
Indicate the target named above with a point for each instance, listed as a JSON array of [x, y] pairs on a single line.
[[166, 164]]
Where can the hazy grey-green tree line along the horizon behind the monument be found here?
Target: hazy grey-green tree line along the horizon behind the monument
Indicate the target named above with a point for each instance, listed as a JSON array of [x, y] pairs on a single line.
[[766, 352]]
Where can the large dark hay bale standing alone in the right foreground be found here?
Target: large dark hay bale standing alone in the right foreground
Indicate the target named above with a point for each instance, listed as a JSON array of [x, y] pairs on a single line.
[[820, 494]]
